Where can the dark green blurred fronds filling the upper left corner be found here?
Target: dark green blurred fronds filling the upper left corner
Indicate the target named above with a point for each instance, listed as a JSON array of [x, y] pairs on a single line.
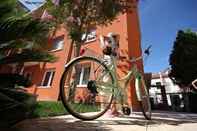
[[22, 37]]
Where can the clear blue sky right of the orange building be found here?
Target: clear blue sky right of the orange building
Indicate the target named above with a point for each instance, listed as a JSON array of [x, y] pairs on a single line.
[[159, 22]]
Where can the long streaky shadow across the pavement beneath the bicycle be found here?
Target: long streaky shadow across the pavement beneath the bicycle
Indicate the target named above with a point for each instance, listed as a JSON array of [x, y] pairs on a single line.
[[102, 124]]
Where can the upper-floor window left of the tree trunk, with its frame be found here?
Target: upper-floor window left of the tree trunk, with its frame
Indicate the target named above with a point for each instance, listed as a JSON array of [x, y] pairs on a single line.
[[57, 44]]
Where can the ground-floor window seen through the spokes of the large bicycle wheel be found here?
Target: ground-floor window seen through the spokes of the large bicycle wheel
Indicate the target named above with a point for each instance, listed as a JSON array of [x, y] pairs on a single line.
[[84, 75]]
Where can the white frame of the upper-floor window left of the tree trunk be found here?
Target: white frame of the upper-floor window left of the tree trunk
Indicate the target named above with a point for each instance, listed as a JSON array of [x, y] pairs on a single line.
[[60, 44]]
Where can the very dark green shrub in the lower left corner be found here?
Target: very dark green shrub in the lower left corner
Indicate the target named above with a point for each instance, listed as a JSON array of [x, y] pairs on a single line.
[[15, 106]]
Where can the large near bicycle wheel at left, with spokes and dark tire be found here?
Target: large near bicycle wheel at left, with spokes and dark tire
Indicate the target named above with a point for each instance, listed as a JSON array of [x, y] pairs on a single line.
[[69, 100]]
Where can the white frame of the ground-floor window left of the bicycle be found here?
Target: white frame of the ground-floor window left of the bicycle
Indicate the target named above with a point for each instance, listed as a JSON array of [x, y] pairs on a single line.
[[49, 83]]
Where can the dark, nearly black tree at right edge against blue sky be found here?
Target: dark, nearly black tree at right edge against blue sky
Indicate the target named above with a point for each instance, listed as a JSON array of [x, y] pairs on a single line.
[[183, 58]]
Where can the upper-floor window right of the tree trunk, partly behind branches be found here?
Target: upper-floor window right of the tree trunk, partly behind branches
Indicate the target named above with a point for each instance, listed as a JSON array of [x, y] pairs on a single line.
[[91, 36]]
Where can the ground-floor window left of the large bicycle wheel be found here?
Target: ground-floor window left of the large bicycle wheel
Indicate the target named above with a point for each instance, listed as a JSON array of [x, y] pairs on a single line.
[[48, 78]]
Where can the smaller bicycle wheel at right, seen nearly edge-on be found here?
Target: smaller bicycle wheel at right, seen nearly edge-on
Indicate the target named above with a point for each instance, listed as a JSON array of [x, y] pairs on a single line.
[[143, 97]]
